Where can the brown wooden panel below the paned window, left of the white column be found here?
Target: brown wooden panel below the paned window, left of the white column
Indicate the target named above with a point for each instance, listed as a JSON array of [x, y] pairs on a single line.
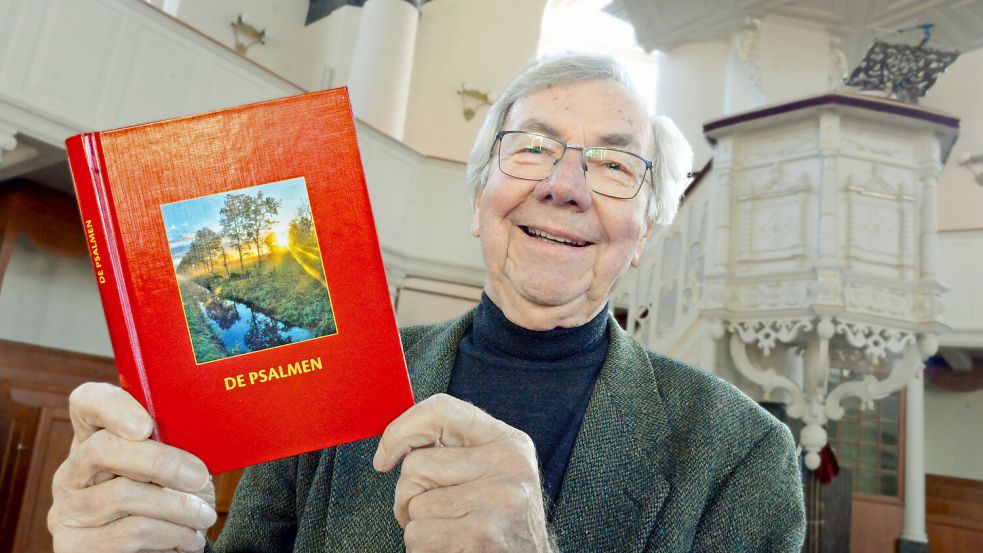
[[875, 524]]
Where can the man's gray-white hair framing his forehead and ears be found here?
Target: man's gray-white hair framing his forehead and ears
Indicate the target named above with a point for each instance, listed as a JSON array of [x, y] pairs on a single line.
[[671, 154]]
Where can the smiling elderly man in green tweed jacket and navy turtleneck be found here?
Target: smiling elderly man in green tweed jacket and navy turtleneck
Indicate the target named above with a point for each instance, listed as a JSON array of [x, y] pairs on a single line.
[[541, 425]]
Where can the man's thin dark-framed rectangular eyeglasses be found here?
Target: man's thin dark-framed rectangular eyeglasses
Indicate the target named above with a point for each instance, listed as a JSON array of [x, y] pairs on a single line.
[[608, 171]]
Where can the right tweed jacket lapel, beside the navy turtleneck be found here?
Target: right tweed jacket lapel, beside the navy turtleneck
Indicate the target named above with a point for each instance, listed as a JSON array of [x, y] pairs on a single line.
[[613, 489]]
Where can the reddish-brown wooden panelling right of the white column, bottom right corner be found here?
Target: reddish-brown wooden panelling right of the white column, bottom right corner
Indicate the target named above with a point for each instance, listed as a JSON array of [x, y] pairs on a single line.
[[954, 514]]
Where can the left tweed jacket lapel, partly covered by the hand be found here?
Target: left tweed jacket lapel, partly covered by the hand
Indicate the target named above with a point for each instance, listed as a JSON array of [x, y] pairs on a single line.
[[360, 506]]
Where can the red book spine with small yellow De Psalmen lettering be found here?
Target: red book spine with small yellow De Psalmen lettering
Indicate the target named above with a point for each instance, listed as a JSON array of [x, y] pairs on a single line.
[[102, 237]]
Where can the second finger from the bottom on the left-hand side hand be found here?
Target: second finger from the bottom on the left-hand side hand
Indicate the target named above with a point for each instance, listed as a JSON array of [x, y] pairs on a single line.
[[121, 497]]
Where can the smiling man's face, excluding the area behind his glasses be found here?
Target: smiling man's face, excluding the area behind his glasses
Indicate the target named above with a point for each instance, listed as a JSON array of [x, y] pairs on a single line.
[[563, 279]]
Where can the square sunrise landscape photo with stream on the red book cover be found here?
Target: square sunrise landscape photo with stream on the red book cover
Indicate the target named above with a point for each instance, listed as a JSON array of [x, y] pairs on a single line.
[[249, 269]]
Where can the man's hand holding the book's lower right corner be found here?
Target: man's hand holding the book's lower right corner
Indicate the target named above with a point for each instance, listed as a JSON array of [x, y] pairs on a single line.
[[469, 482]]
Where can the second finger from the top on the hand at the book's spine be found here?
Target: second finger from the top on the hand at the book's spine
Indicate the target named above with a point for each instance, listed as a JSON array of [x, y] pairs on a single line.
[[145, 461]]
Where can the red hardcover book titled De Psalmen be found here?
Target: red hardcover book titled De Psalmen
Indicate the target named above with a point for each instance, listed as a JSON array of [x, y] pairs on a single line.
[[241, 278]]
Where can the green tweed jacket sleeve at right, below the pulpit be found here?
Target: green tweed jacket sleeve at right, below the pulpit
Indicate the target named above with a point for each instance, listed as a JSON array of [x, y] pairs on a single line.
[[759, 506]]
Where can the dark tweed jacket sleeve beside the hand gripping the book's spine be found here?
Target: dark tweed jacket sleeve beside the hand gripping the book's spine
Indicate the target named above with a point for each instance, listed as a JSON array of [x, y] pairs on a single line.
[[263, 516]]
